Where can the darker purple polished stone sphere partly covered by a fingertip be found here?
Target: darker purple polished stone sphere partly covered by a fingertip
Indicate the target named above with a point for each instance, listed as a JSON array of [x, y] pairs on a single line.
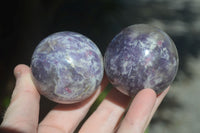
[[141, 56]]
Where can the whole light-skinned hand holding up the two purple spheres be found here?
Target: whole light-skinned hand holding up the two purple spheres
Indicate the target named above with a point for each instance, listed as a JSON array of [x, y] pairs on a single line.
[[23, 112]]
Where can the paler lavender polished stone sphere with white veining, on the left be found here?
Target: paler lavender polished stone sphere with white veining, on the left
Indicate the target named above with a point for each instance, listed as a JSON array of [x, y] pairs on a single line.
[[67, 67]]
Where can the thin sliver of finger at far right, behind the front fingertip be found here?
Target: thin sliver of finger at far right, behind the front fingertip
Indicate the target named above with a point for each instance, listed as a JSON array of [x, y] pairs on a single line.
[[159, 99]]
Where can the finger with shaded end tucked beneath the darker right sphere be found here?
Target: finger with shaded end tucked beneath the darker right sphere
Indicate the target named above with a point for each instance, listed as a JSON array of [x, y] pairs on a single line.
[[108, 114]]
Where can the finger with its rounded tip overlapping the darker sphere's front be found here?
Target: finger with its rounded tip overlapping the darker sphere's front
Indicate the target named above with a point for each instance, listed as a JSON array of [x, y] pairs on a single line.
[[139, 112]]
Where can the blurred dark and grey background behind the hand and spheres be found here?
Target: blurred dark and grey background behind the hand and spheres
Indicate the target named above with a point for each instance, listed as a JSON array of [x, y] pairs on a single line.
[[24, 23]]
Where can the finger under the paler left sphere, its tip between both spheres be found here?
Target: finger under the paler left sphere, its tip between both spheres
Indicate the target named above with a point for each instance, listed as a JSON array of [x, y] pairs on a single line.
[[65, 118]]
